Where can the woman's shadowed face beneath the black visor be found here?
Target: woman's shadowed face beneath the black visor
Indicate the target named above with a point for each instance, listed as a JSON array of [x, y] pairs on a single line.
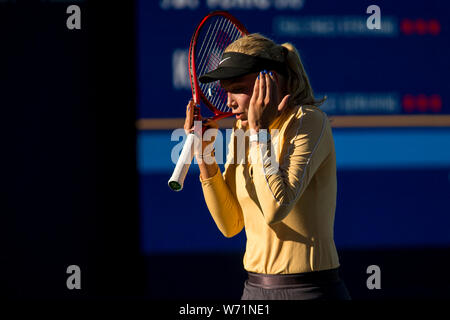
[[240, 92]]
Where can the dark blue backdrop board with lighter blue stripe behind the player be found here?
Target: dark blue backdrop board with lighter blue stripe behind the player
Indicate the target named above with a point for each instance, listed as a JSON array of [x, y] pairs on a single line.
[[393, 183]]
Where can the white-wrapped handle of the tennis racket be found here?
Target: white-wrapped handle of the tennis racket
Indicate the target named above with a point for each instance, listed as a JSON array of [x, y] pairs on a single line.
[[184, 161]]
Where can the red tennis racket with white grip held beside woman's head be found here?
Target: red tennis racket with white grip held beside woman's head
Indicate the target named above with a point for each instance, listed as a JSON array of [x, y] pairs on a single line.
[[211, 37]]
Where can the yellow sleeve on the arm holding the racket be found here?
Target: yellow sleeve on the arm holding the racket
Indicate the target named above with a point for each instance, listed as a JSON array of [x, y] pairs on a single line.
[[220, 197]]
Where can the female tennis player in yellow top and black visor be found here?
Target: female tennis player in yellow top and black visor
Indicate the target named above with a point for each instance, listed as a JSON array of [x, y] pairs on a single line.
[[284, 193]]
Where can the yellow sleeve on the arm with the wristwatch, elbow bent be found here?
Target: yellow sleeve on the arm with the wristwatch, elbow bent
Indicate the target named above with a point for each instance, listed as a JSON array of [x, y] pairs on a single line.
[[280, 184]]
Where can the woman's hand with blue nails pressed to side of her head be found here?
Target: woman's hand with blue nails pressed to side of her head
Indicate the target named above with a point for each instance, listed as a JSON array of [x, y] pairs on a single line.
[[266, 103]]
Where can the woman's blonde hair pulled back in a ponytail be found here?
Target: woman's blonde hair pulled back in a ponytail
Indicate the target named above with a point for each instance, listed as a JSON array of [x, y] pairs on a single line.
[[298, 84]]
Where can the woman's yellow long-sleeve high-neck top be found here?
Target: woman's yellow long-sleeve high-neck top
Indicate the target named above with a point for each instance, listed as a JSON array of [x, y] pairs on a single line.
[[287, 206]]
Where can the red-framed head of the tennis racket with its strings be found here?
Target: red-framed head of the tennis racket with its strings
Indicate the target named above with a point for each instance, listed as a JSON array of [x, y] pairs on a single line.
[[212, 36]]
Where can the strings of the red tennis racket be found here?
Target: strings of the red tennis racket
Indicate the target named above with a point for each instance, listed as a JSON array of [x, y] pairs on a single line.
[[219, 34]]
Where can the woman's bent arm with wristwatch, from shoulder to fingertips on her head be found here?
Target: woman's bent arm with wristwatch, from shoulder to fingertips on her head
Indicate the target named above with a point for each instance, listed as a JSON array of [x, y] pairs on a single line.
[[279, 185]]
